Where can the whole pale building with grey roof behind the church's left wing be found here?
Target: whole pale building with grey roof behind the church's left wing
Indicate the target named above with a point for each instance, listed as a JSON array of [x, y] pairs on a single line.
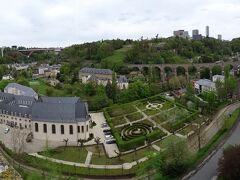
[[18, 89]]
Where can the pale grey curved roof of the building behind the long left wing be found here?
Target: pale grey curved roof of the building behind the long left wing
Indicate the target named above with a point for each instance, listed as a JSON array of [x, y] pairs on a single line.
[[25, 91]]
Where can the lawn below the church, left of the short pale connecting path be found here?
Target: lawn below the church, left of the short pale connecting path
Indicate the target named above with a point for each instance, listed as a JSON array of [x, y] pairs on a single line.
[[73, 154]]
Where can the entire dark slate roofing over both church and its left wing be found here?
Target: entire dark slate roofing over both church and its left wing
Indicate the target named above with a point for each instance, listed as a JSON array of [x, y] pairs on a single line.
[[46, 109]]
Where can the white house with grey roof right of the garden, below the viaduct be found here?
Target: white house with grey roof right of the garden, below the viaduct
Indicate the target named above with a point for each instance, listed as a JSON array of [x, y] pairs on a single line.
[[204, 85]]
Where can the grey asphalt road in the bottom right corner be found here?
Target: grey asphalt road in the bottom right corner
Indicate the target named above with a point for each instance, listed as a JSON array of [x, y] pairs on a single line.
[[209, 170]]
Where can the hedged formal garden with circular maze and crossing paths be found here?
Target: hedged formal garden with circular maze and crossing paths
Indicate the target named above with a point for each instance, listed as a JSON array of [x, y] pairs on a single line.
[[142, 121]]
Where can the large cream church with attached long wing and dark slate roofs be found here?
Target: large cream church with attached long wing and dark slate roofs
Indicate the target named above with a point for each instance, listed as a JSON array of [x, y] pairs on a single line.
[[48, 118]]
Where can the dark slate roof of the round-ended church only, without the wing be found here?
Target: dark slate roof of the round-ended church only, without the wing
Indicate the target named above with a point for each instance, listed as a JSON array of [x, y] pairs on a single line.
[[60, 110]]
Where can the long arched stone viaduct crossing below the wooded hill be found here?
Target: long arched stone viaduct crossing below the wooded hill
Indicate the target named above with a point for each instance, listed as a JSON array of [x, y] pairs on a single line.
[[165, 69]]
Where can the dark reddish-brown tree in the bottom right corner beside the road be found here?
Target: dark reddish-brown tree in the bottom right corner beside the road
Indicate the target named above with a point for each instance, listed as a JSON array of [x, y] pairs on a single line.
[[229, 164]]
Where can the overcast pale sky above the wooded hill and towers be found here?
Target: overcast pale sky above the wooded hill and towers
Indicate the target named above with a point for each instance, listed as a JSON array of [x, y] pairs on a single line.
[[61, 23]]
